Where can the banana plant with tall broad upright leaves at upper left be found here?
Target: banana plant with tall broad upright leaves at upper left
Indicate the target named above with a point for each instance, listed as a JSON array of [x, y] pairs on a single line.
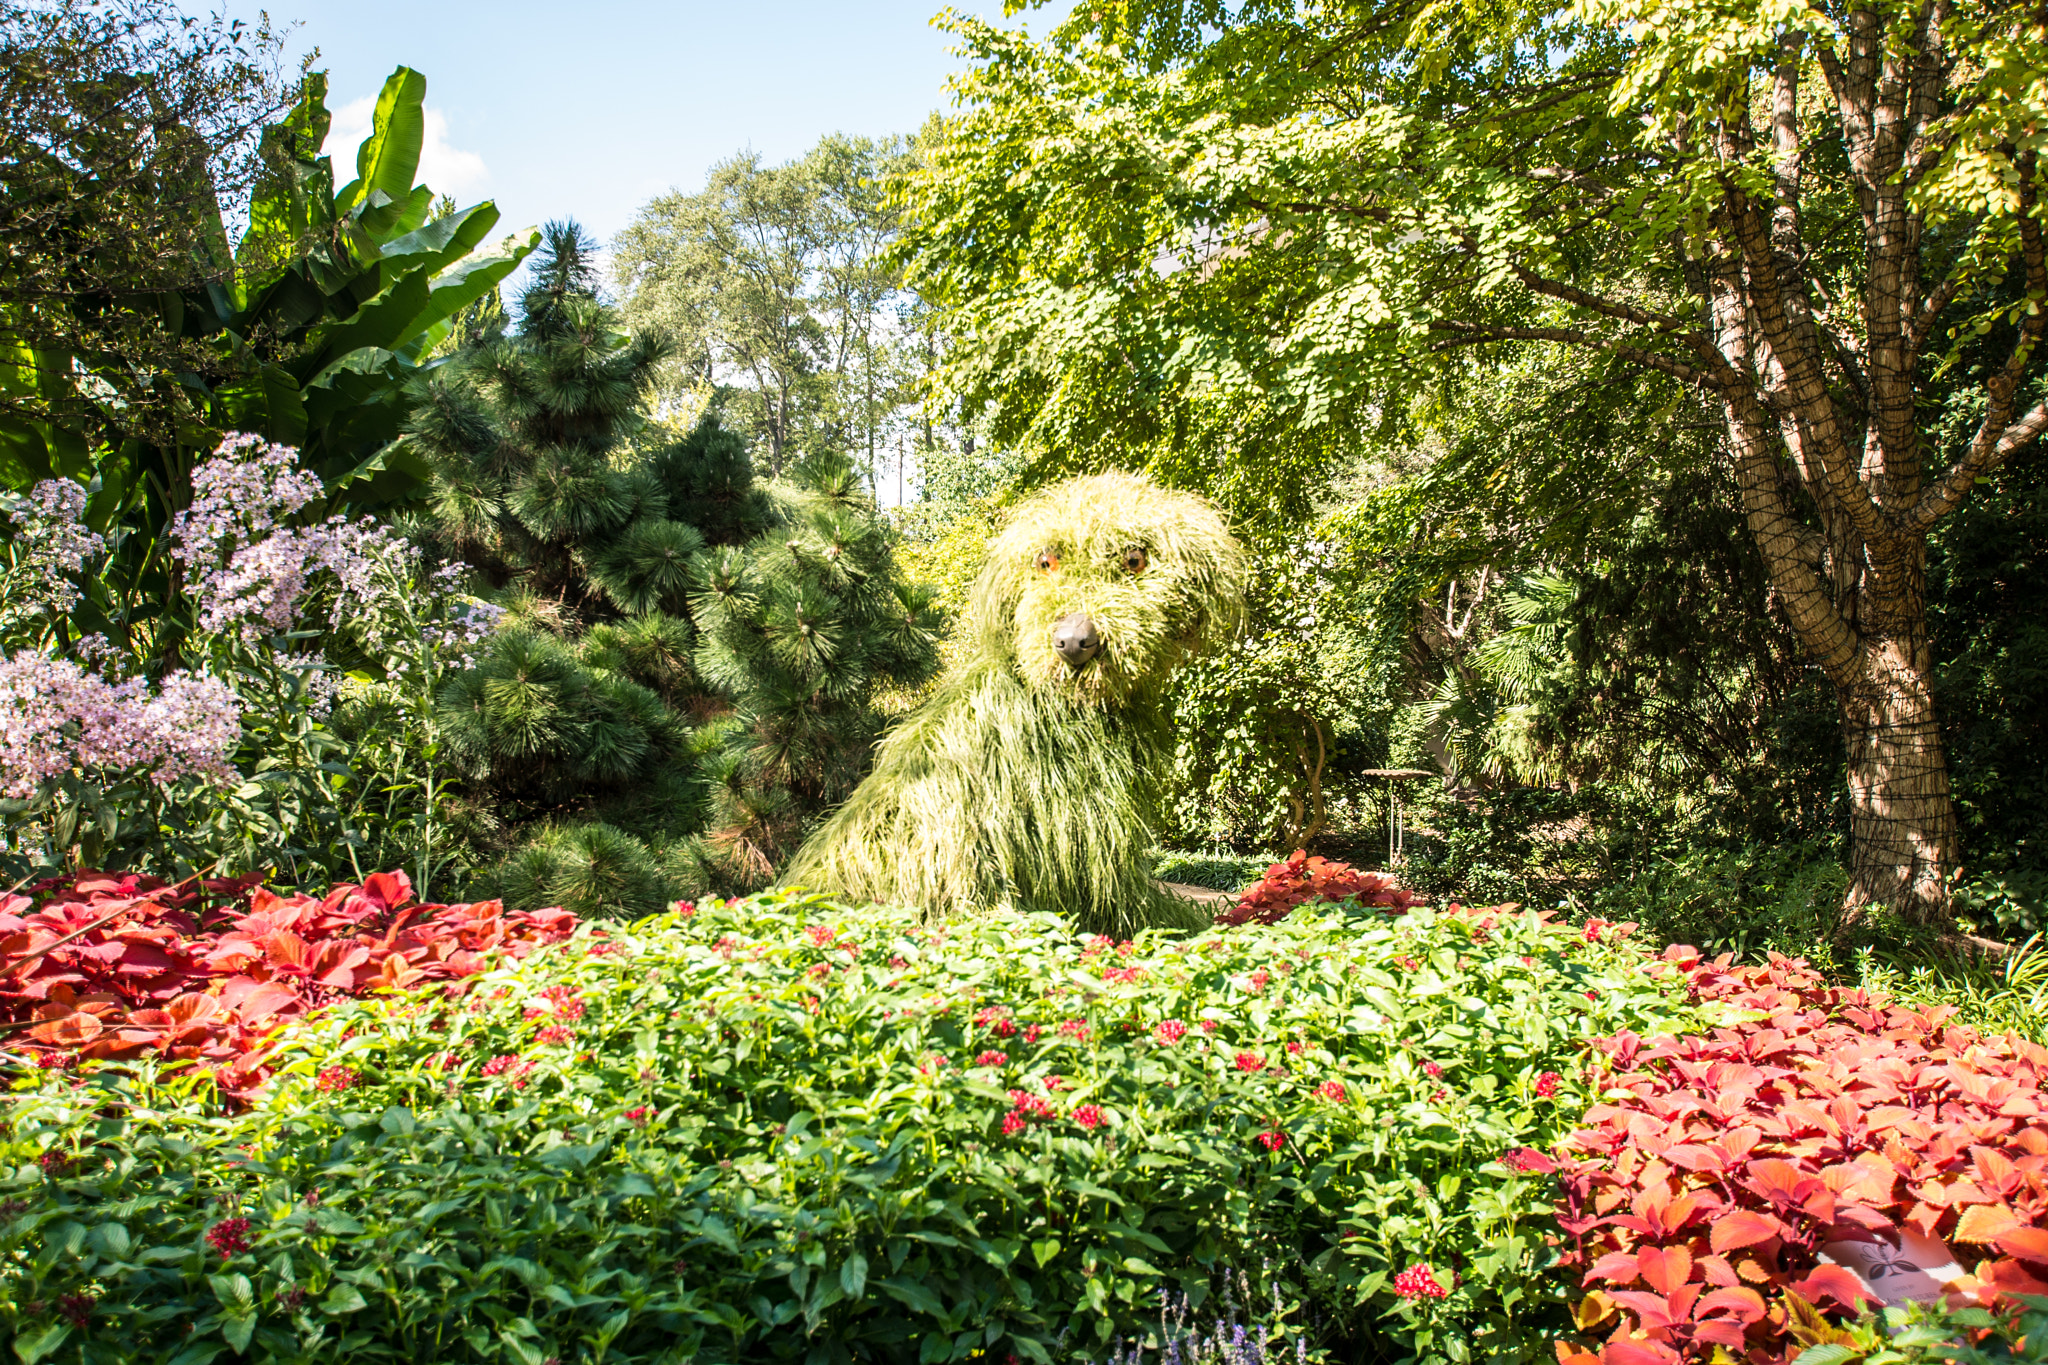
[[321, 320]]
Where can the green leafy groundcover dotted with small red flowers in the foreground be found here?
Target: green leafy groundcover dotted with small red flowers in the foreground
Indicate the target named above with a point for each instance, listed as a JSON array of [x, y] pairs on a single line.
[[783, 1129]]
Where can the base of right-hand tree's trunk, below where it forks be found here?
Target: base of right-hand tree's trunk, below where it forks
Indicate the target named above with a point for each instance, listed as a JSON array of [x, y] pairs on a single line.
[[1904, 846]]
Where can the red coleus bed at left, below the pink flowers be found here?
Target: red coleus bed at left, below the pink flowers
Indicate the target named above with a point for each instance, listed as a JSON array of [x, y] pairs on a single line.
[[118, 967]]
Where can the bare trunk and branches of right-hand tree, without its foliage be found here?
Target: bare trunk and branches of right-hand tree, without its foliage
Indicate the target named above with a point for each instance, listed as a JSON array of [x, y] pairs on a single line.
[[1820, 378]]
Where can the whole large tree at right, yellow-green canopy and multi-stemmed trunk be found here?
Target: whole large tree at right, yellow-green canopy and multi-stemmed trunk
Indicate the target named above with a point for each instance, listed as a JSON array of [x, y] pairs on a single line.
[[1803, 214]]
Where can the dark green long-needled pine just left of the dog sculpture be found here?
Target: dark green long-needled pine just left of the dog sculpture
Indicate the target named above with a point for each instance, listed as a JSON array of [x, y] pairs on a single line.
[[687, 650]]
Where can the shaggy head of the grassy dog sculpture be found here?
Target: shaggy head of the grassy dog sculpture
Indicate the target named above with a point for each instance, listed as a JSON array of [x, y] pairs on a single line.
[[1099, 586]]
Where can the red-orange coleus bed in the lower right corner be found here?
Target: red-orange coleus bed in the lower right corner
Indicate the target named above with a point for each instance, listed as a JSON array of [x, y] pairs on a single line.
[[1721, 1190]]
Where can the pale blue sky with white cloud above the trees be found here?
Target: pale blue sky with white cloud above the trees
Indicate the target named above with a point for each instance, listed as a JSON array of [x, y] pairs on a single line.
[[593, 109]]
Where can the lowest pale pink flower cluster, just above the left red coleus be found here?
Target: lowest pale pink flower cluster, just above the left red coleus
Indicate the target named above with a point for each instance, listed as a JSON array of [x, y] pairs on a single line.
[[56, 717]]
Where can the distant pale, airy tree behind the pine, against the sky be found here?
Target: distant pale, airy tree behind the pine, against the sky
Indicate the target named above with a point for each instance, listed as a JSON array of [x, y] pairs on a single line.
[[775, 283]]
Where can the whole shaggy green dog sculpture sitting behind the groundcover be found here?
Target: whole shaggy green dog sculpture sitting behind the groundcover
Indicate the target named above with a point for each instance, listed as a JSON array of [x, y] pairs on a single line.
[[1031, 777]]
